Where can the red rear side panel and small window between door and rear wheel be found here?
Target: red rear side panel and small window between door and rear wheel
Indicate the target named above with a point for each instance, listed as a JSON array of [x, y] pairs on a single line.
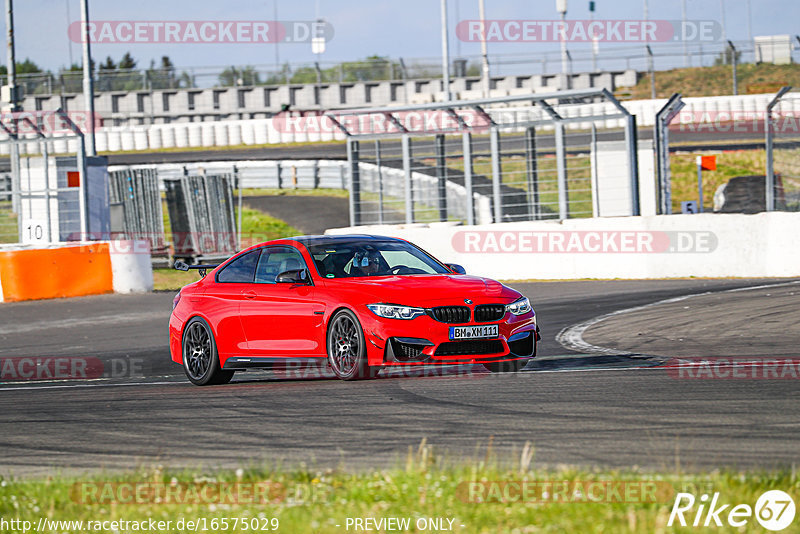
[[223, 301]]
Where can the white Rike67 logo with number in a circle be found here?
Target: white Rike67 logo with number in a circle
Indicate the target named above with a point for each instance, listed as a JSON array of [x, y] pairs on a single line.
[[774, 510]]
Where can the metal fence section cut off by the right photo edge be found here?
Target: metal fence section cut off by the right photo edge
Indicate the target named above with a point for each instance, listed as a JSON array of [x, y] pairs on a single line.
[[783, 151]]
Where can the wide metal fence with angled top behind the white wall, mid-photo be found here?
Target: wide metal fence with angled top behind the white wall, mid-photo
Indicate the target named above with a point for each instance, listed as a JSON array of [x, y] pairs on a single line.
[[474, 164]]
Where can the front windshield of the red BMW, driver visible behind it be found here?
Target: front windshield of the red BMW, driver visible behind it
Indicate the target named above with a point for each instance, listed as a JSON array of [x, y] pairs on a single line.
[[372, 258]]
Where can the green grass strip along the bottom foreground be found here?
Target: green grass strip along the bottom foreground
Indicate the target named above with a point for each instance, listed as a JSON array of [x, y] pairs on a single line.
[[426, 484]]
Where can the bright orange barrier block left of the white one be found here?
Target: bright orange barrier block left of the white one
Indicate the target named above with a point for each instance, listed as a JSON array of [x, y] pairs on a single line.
[[69, 271]]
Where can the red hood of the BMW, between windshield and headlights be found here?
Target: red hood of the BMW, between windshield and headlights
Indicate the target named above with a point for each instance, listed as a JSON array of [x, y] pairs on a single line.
[[430, 290]]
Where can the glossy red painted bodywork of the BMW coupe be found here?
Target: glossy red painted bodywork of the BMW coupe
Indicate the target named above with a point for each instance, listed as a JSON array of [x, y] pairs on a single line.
[[290, 320]]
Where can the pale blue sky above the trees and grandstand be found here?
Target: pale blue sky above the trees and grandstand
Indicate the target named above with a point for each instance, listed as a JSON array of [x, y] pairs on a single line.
[[407, 28]]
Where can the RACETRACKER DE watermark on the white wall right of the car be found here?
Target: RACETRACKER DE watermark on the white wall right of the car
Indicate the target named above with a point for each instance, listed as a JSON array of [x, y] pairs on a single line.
[[583, 242]]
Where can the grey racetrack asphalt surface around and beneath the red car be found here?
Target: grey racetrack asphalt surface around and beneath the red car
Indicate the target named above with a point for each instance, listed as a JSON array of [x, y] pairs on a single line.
[[584, 409]]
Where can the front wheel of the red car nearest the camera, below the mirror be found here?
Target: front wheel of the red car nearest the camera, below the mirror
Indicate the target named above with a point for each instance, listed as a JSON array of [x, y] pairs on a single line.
[[347, 348]]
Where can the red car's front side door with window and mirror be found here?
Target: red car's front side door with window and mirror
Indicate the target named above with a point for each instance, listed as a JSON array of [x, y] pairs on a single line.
[[282, 320]]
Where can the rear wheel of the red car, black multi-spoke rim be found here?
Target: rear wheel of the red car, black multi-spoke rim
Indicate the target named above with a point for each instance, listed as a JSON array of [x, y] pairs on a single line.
[[200, 356]]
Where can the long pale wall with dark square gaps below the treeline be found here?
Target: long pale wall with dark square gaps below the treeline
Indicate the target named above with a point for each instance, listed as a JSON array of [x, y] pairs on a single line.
[[131, 108]]
